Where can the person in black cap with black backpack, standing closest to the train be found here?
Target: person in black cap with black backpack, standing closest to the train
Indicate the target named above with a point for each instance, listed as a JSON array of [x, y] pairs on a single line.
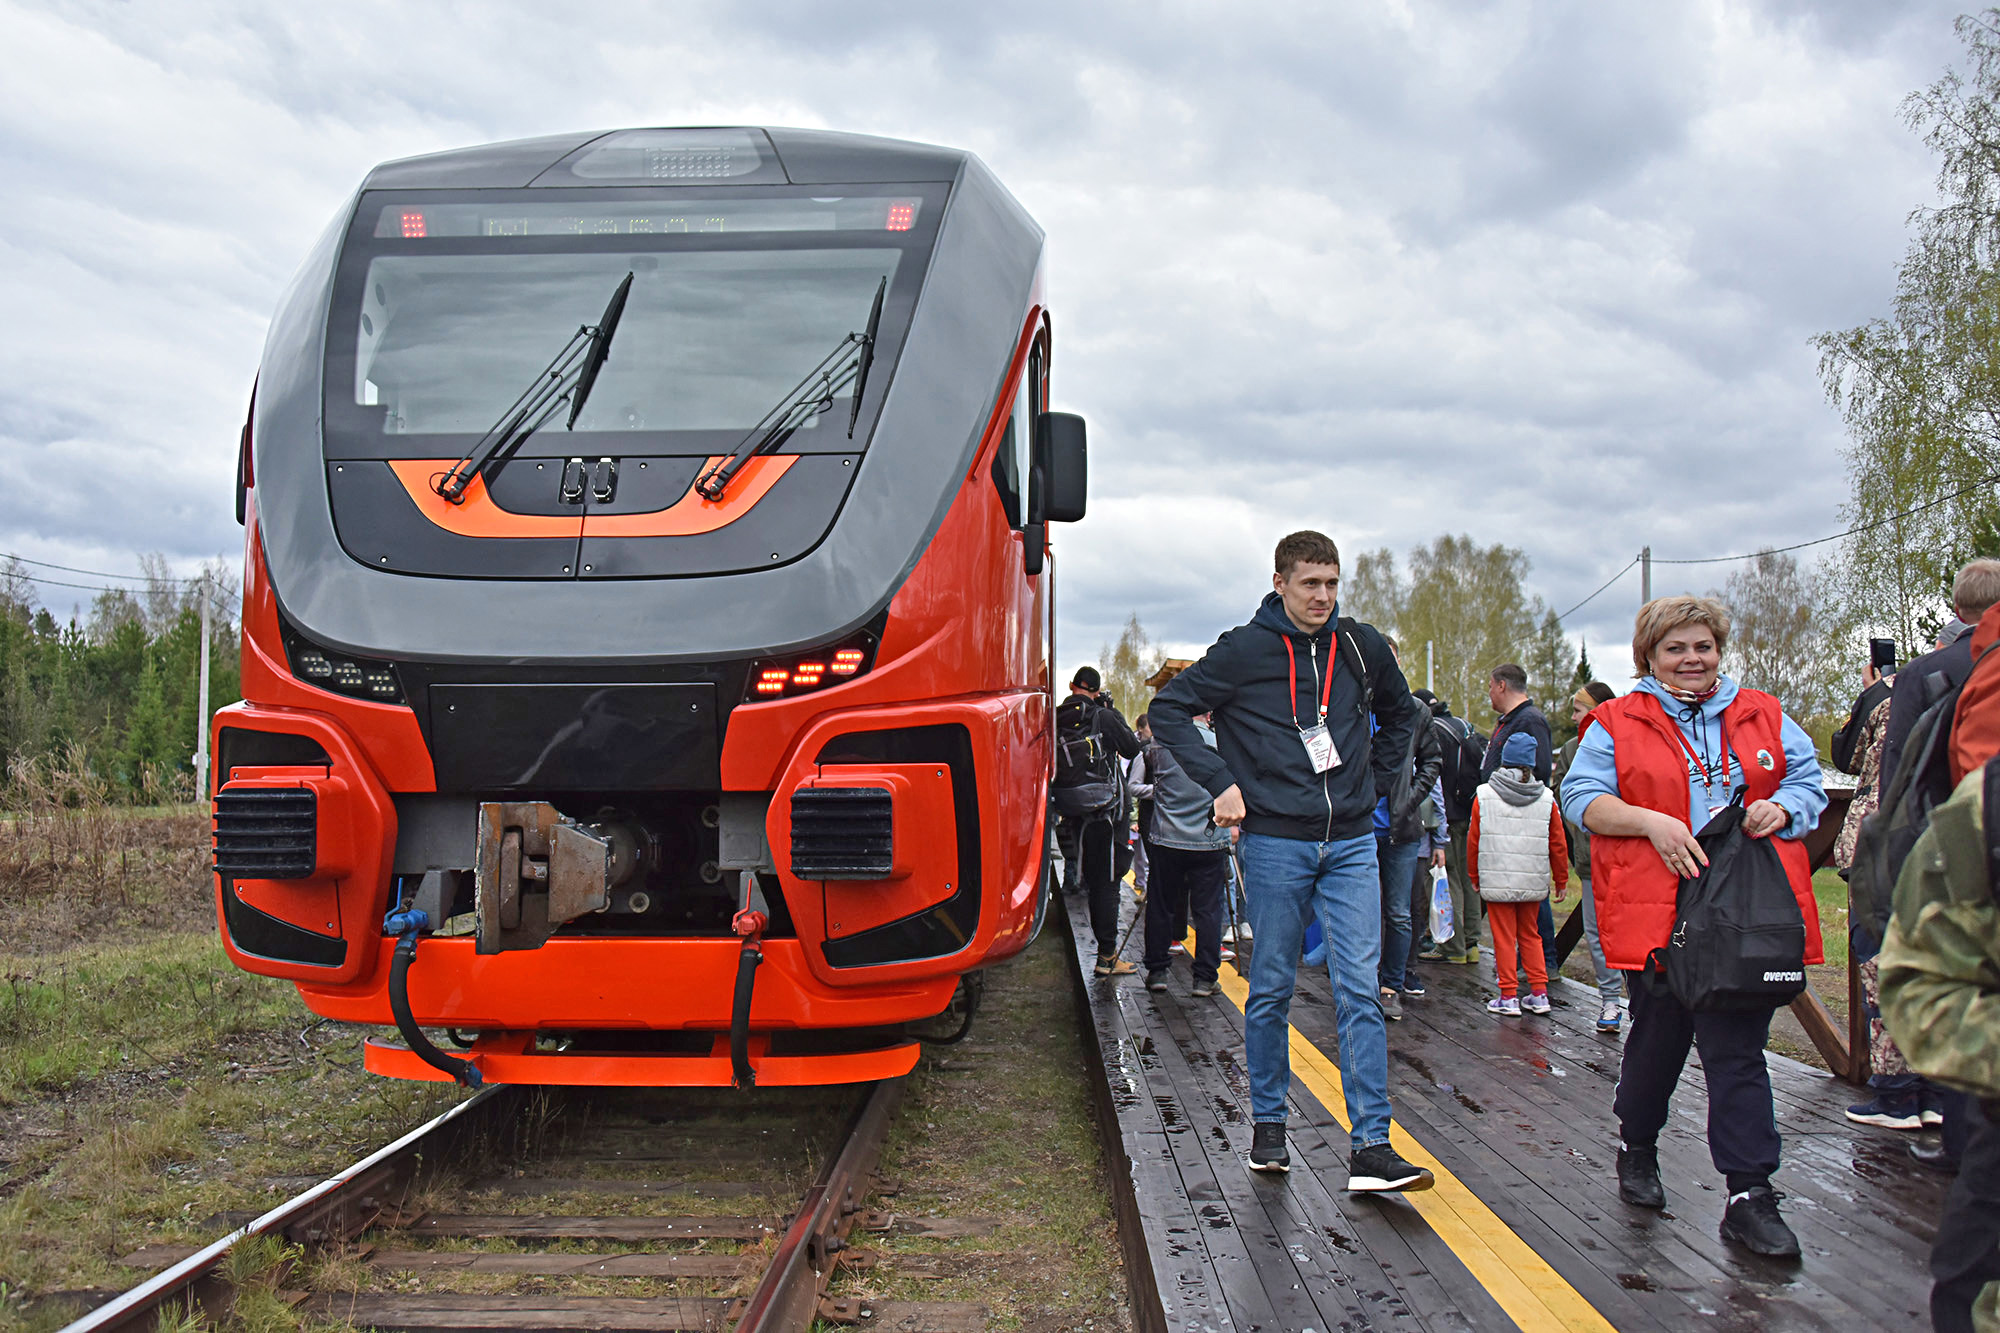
[[1091, 800]]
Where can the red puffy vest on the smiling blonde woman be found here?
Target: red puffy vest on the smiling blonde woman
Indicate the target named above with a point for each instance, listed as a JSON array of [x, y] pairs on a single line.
[[1635, 892]]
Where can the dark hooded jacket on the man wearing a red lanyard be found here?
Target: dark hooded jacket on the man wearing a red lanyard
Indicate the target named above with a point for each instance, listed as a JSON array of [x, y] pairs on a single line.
[[1243, 682]]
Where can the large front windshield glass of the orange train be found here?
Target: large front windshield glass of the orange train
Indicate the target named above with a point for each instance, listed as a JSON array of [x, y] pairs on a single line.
[[449, 309]]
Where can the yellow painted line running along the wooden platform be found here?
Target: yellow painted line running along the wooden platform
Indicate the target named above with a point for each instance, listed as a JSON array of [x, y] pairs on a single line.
[[1527, 1288]]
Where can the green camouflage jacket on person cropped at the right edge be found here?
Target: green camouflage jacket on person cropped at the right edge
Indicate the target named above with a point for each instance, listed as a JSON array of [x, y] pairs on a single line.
[[1941, 960]]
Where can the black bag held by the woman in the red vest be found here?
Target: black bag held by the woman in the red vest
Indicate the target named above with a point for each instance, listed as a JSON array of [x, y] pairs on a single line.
[[1739, 938]]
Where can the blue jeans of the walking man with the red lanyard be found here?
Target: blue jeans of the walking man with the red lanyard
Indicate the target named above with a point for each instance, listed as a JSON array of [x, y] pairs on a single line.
[[1339, 882]]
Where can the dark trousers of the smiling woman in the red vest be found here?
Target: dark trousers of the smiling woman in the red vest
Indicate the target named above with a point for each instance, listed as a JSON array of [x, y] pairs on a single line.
[[1743, 1126]]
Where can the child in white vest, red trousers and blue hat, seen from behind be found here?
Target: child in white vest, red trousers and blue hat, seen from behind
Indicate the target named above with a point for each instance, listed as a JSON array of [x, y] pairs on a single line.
[[1515, 856]]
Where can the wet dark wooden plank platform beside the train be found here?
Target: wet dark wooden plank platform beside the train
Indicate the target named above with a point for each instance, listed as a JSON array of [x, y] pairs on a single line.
[[1525, 1228]]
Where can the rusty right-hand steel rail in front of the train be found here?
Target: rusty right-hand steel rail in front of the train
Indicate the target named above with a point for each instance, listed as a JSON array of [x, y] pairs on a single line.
[[789, 1296]]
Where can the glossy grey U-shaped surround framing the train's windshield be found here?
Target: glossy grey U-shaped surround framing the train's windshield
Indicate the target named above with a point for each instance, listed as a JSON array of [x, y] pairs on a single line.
[[961, 339]]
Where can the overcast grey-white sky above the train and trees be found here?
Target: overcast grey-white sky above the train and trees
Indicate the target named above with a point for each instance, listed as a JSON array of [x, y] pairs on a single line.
[[1543, 273]]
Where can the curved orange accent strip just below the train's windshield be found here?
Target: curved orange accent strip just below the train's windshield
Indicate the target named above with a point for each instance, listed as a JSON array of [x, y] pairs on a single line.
[[691, 515]]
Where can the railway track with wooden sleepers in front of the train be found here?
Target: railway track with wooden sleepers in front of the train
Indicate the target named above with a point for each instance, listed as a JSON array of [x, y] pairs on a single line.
[[579, 1210]]
